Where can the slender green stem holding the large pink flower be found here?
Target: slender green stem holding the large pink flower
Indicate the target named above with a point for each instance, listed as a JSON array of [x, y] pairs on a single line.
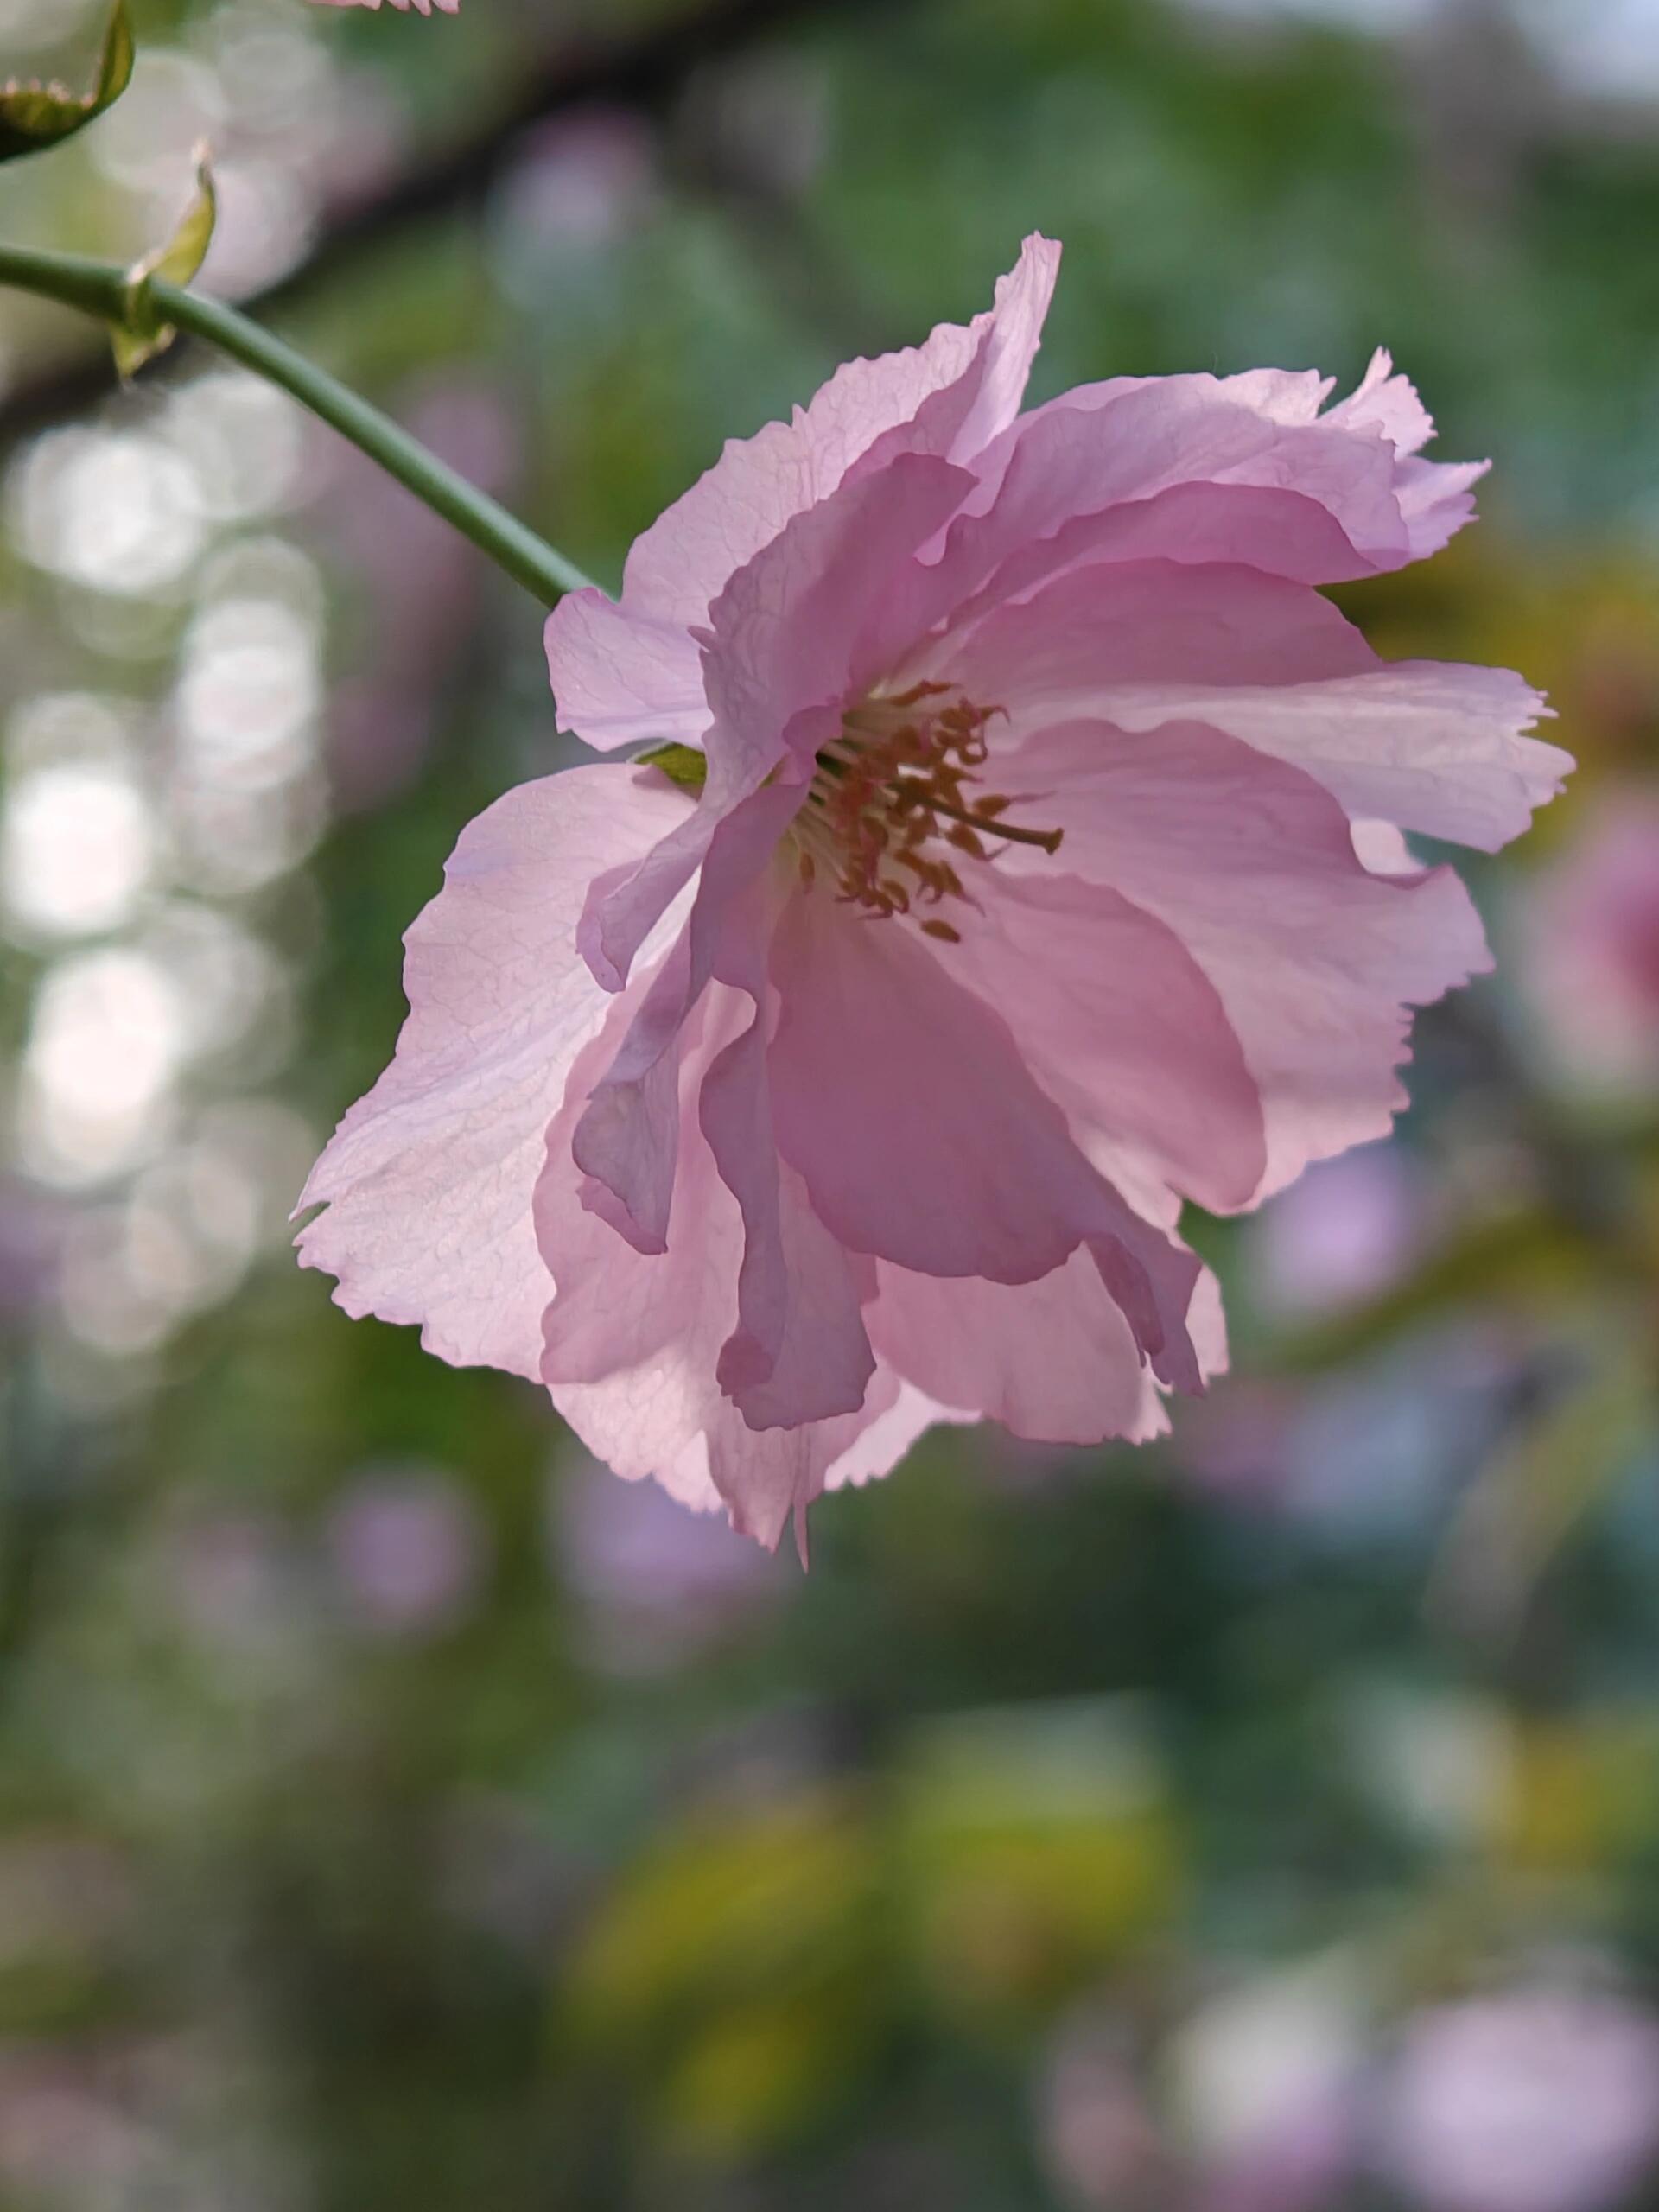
[[103, 289]]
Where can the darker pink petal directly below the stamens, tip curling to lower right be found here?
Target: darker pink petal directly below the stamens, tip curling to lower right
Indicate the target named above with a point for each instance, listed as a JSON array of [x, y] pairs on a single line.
[[904, 1105]]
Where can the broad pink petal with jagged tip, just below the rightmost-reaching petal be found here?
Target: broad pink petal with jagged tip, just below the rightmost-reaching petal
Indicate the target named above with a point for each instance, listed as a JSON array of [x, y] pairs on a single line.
[[1253, 864]]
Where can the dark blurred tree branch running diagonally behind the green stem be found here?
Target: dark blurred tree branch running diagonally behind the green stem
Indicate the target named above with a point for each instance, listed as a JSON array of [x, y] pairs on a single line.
[[645, 72]]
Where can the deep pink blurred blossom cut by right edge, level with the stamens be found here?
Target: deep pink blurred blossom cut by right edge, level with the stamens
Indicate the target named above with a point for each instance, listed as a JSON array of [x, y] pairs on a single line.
[[1592, 948]]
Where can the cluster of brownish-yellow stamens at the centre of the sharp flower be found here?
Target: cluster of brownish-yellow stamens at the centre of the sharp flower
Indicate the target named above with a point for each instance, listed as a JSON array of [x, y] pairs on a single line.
[[890, 806]]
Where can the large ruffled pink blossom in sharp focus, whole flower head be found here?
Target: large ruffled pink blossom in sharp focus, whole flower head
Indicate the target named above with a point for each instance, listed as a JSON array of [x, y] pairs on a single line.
[[1036, 866]]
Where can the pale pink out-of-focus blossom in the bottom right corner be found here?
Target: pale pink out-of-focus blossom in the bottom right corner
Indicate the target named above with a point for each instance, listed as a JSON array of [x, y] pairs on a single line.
[[1527, 2103]]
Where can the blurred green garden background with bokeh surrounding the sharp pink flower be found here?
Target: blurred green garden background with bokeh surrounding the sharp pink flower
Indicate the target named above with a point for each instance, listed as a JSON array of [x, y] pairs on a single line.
[[395, 1811]]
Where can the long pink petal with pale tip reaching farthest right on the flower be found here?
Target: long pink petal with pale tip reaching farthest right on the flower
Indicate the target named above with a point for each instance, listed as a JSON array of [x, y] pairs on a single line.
[[1432, 747]]
